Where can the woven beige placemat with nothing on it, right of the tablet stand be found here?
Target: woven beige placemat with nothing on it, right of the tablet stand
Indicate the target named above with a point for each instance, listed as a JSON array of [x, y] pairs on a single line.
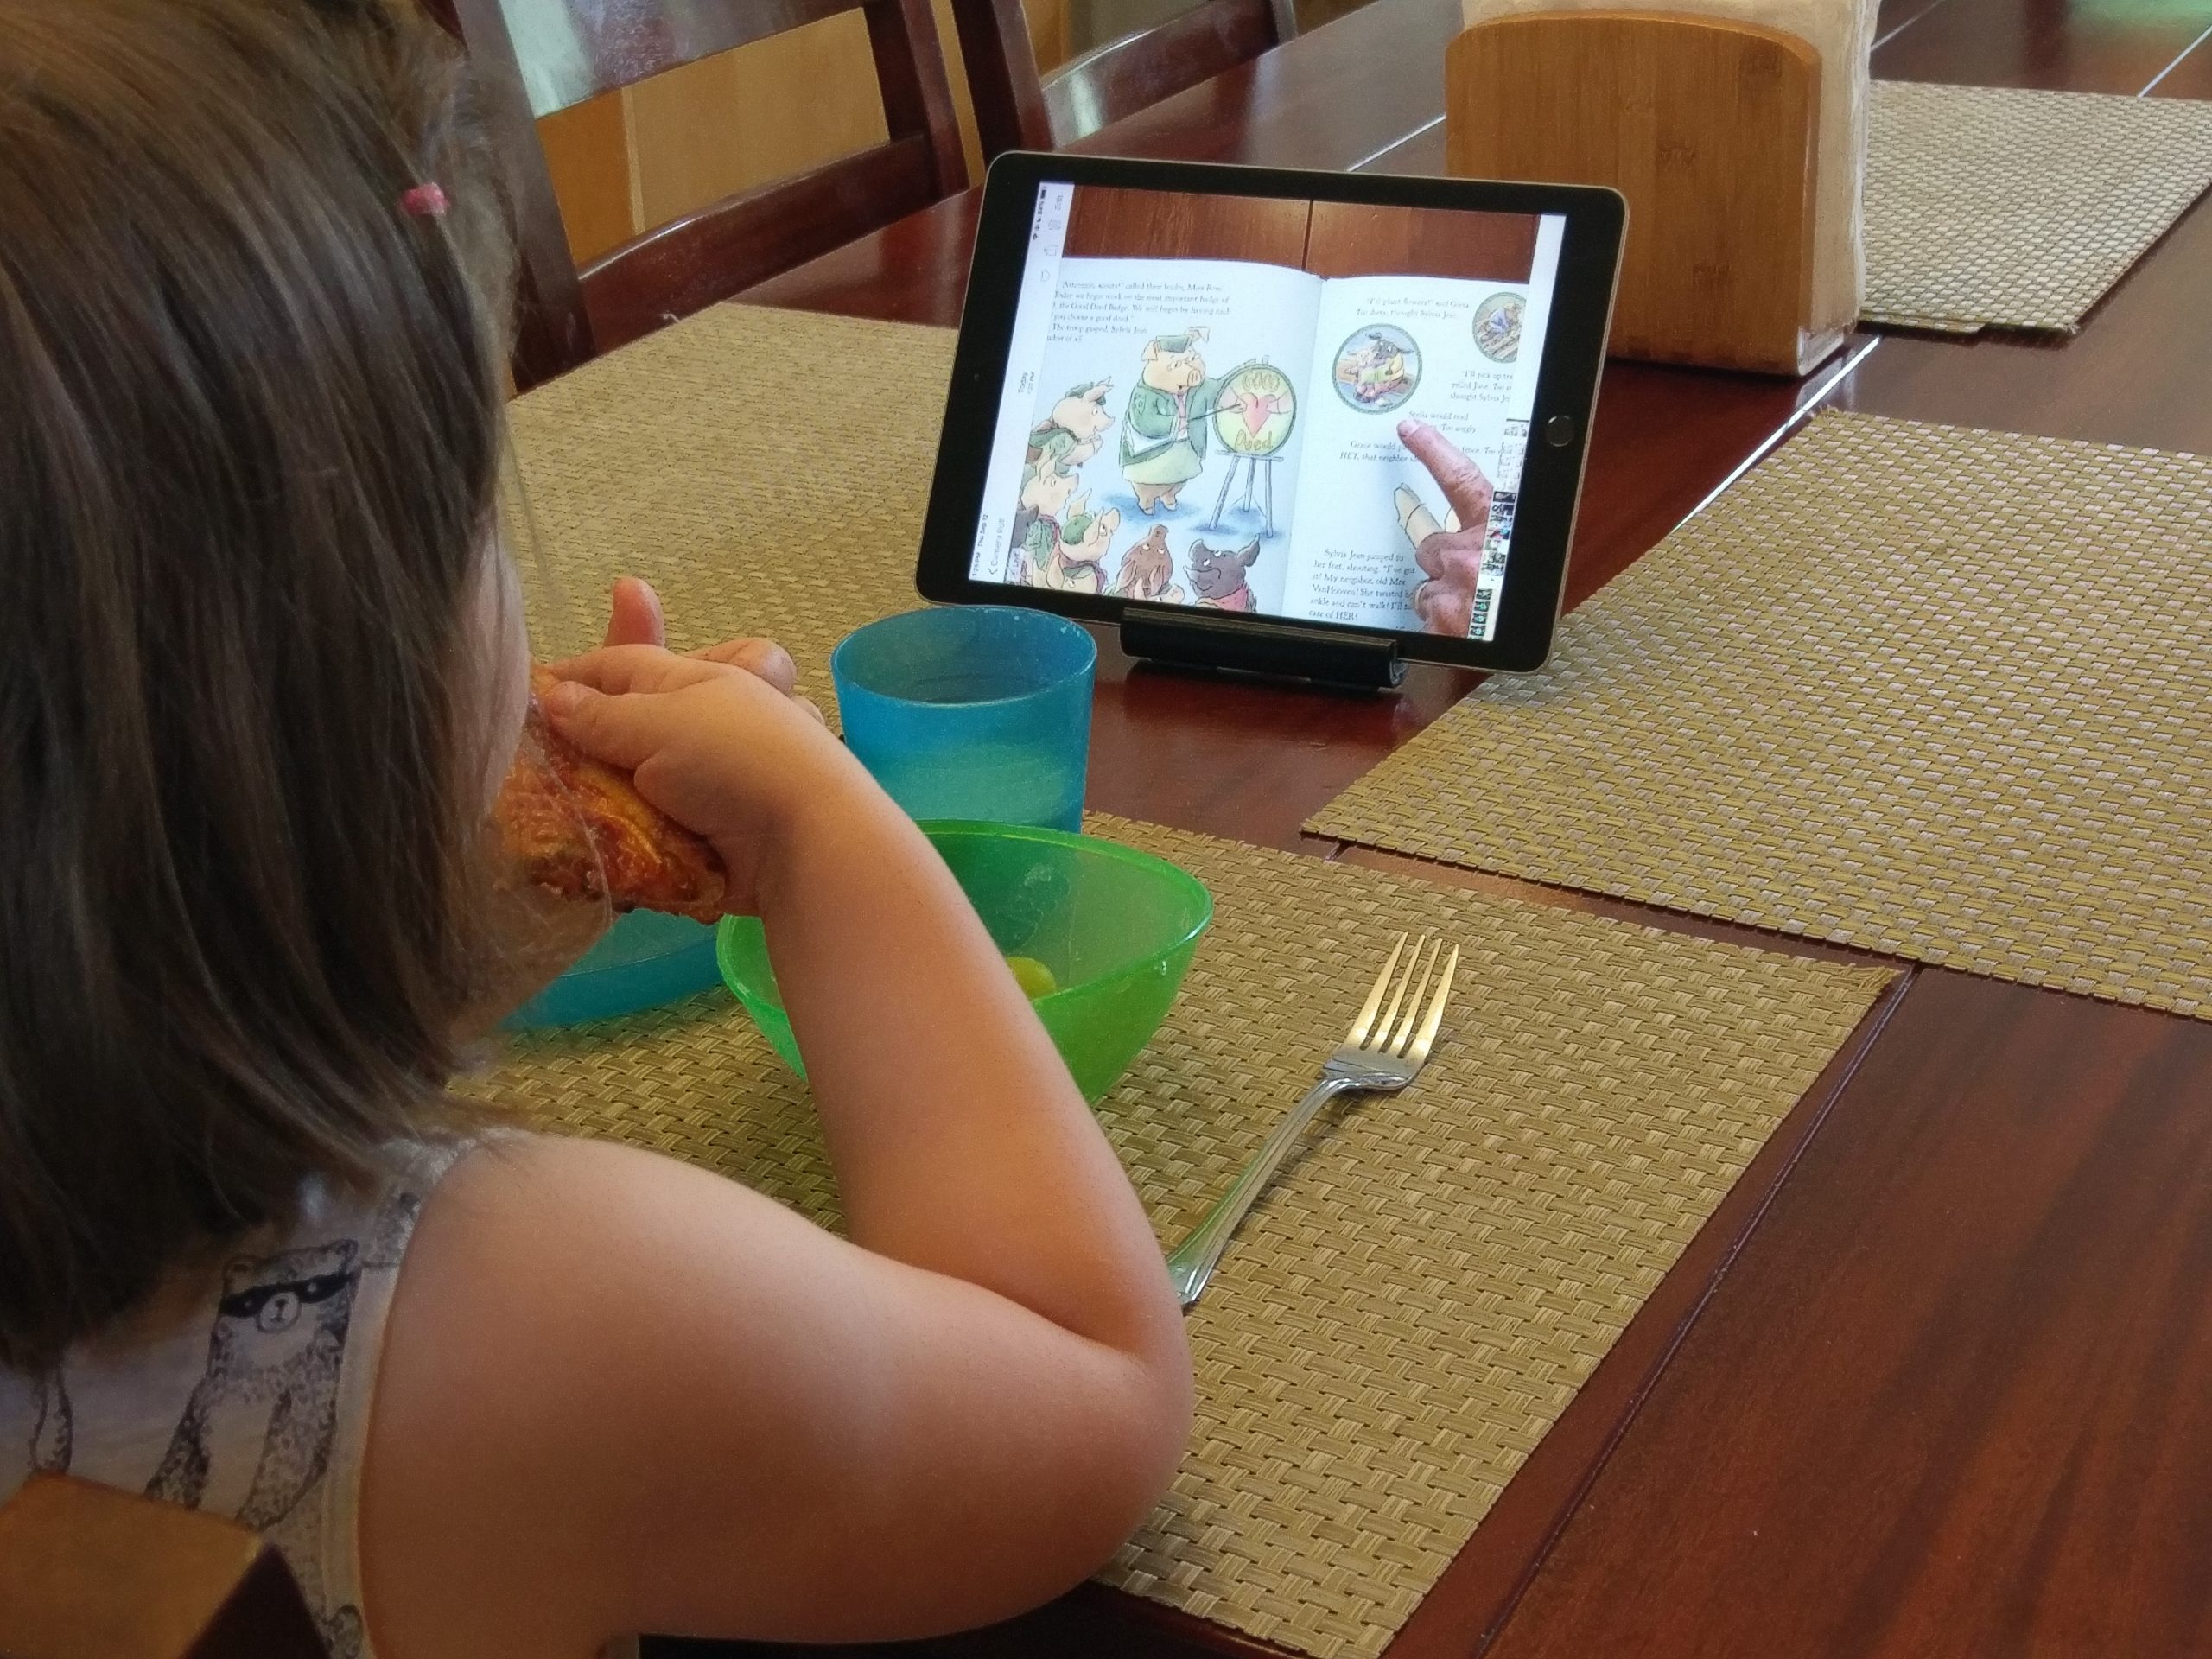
[[1926, 691]]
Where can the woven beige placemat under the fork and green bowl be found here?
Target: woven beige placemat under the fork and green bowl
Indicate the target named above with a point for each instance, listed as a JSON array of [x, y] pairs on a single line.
[[1421, 1297]]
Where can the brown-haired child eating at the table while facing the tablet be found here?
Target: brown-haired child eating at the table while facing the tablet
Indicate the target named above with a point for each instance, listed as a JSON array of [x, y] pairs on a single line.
[[260, 678]]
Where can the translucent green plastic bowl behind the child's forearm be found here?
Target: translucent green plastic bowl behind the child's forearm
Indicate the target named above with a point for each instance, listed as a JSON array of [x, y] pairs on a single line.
[[1114, 926]]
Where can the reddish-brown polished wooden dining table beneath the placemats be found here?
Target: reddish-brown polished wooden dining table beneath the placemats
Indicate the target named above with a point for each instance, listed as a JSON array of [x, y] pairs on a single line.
[[1937, 1379]]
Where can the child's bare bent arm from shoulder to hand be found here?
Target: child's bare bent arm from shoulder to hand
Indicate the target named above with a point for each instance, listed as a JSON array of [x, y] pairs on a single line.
[[654, 1399]]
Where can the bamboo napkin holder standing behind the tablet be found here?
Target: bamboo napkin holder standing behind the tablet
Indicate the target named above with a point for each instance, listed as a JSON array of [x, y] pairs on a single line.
[[1707, 127]]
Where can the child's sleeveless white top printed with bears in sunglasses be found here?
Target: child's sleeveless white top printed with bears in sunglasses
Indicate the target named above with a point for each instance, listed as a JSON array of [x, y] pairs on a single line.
[[244, 1390]]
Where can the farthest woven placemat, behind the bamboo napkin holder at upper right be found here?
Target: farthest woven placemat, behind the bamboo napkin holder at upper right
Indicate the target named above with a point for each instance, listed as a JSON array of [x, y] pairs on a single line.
[[2010, 209]]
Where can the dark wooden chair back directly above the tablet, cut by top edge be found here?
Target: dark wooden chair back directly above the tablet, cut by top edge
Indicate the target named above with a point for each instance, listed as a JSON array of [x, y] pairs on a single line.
[[1016, 109]]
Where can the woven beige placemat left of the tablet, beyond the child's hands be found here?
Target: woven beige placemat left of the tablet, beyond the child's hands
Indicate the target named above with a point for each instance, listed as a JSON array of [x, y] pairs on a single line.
[[764, 470]]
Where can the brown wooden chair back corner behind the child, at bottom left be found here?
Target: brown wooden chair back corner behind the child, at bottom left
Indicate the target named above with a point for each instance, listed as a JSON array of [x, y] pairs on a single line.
[[98, 1572]]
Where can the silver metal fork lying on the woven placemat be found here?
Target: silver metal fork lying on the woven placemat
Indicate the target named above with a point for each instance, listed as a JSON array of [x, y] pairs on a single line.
[[1377, 1056]]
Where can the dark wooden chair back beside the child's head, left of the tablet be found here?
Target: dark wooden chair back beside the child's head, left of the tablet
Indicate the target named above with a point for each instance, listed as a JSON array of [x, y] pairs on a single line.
[[570, 315]]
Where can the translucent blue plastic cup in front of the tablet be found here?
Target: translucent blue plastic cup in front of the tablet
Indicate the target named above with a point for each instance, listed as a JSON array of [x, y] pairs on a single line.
[[972, 713]]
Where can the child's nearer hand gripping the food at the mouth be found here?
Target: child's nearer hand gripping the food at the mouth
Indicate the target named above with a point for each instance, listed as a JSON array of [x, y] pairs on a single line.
[[716, 740]]
